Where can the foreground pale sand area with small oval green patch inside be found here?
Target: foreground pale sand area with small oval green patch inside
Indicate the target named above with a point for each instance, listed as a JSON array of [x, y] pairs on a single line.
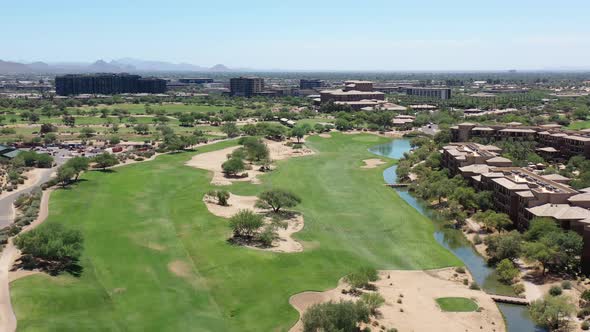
[[420, 311]]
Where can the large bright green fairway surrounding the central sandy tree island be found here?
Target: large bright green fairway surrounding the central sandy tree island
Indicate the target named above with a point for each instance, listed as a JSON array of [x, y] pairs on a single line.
[[156, 260]]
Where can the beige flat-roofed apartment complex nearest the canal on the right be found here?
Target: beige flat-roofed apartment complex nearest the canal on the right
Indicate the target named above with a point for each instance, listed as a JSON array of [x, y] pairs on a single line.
[[522, 194]]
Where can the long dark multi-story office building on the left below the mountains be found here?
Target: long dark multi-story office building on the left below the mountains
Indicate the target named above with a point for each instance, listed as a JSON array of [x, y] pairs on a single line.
[[107, 84]]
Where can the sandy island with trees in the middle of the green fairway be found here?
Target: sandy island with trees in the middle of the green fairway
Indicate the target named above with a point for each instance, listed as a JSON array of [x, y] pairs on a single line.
[[285, 242]]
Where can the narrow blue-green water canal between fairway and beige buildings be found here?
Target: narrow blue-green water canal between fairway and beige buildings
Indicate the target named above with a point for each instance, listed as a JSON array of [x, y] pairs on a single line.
[[517, 318]]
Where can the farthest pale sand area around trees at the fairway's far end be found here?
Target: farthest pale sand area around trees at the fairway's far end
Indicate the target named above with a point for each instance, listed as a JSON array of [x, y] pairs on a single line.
[[212, 161]]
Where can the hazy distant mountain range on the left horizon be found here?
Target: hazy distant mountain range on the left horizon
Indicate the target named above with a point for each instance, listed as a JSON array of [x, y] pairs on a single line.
[[127, 65]]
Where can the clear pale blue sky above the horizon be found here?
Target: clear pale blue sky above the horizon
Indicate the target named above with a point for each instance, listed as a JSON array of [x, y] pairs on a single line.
[[304, 35]]
